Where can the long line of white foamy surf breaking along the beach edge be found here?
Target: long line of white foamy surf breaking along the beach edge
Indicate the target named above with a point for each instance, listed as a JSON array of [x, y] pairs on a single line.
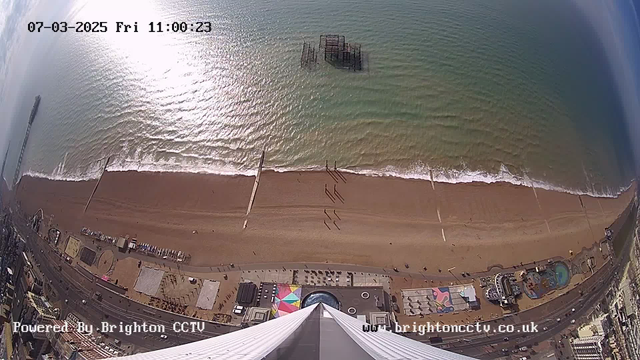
[[417, 172]]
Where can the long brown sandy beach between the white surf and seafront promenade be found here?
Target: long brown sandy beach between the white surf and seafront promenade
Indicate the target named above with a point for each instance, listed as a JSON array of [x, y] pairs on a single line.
[[382, 221]]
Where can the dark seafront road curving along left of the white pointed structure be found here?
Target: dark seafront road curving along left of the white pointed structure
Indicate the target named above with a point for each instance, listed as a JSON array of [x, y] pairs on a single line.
[[70, 284]]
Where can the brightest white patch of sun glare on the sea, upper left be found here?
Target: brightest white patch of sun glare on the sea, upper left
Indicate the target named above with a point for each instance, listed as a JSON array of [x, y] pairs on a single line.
[[170, 73]]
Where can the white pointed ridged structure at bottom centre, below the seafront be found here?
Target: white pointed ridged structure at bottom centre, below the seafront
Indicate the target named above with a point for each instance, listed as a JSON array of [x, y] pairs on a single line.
[[324, 333]]
